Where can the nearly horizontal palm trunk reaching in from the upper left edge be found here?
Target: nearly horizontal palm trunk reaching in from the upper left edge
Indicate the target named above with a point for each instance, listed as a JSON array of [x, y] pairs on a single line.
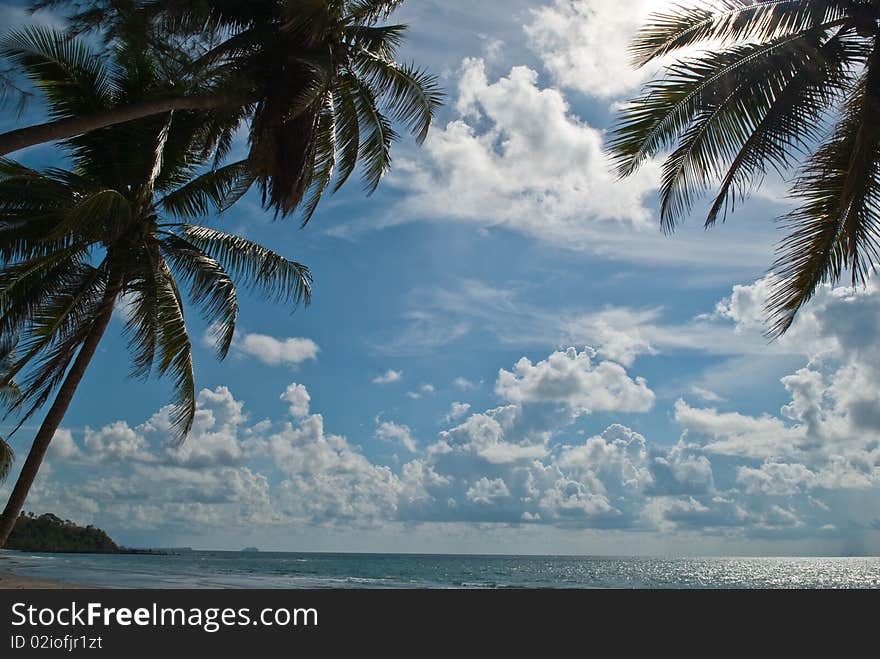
[[72, 126]]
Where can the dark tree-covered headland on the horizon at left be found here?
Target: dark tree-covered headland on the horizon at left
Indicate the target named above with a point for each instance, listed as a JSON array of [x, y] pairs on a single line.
[[50, 533]]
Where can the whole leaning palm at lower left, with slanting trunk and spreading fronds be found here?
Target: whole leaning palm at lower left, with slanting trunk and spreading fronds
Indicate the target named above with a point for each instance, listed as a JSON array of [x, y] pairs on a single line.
[[118, 225]]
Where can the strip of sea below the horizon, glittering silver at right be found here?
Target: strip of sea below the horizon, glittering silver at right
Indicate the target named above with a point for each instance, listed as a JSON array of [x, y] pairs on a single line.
[[217, 569]]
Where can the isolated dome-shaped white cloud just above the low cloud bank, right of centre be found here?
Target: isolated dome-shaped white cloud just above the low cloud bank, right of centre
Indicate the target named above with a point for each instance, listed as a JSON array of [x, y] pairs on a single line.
[[571, 378]]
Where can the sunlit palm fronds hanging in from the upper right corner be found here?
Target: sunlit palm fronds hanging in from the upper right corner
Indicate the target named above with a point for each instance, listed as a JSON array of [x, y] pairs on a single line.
[[790, 83]]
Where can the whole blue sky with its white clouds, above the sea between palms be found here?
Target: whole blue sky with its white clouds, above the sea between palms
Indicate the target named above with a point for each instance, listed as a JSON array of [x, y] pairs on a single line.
[[504, 354]]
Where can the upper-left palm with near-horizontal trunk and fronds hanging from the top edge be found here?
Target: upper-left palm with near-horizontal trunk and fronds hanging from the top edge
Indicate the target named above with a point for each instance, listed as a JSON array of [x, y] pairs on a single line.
[[316, 80]]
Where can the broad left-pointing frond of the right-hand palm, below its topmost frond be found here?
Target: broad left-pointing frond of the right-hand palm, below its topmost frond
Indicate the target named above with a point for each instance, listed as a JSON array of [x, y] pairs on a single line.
[[713, 105]]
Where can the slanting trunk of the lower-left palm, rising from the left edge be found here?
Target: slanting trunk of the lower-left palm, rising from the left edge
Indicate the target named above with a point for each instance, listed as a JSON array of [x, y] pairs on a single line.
[[56, 414]]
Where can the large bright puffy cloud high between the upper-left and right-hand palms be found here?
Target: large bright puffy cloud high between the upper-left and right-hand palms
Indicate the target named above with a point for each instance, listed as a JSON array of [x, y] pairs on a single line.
[[518, 157]]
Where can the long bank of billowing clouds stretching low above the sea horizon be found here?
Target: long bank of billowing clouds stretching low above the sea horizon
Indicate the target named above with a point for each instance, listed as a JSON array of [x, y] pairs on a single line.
[[812, 466]]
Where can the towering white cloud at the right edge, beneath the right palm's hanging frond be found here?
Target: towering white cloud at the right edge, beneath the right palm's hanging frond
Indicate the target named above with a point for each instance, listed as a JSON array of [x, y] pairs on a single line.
[[827, 435]]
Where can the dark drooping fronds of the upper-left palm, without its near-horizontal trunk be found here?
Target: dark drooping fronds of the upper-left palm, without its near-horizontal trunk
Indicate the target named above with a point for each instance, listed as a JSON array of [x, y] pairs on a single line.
[[281, 67]]
